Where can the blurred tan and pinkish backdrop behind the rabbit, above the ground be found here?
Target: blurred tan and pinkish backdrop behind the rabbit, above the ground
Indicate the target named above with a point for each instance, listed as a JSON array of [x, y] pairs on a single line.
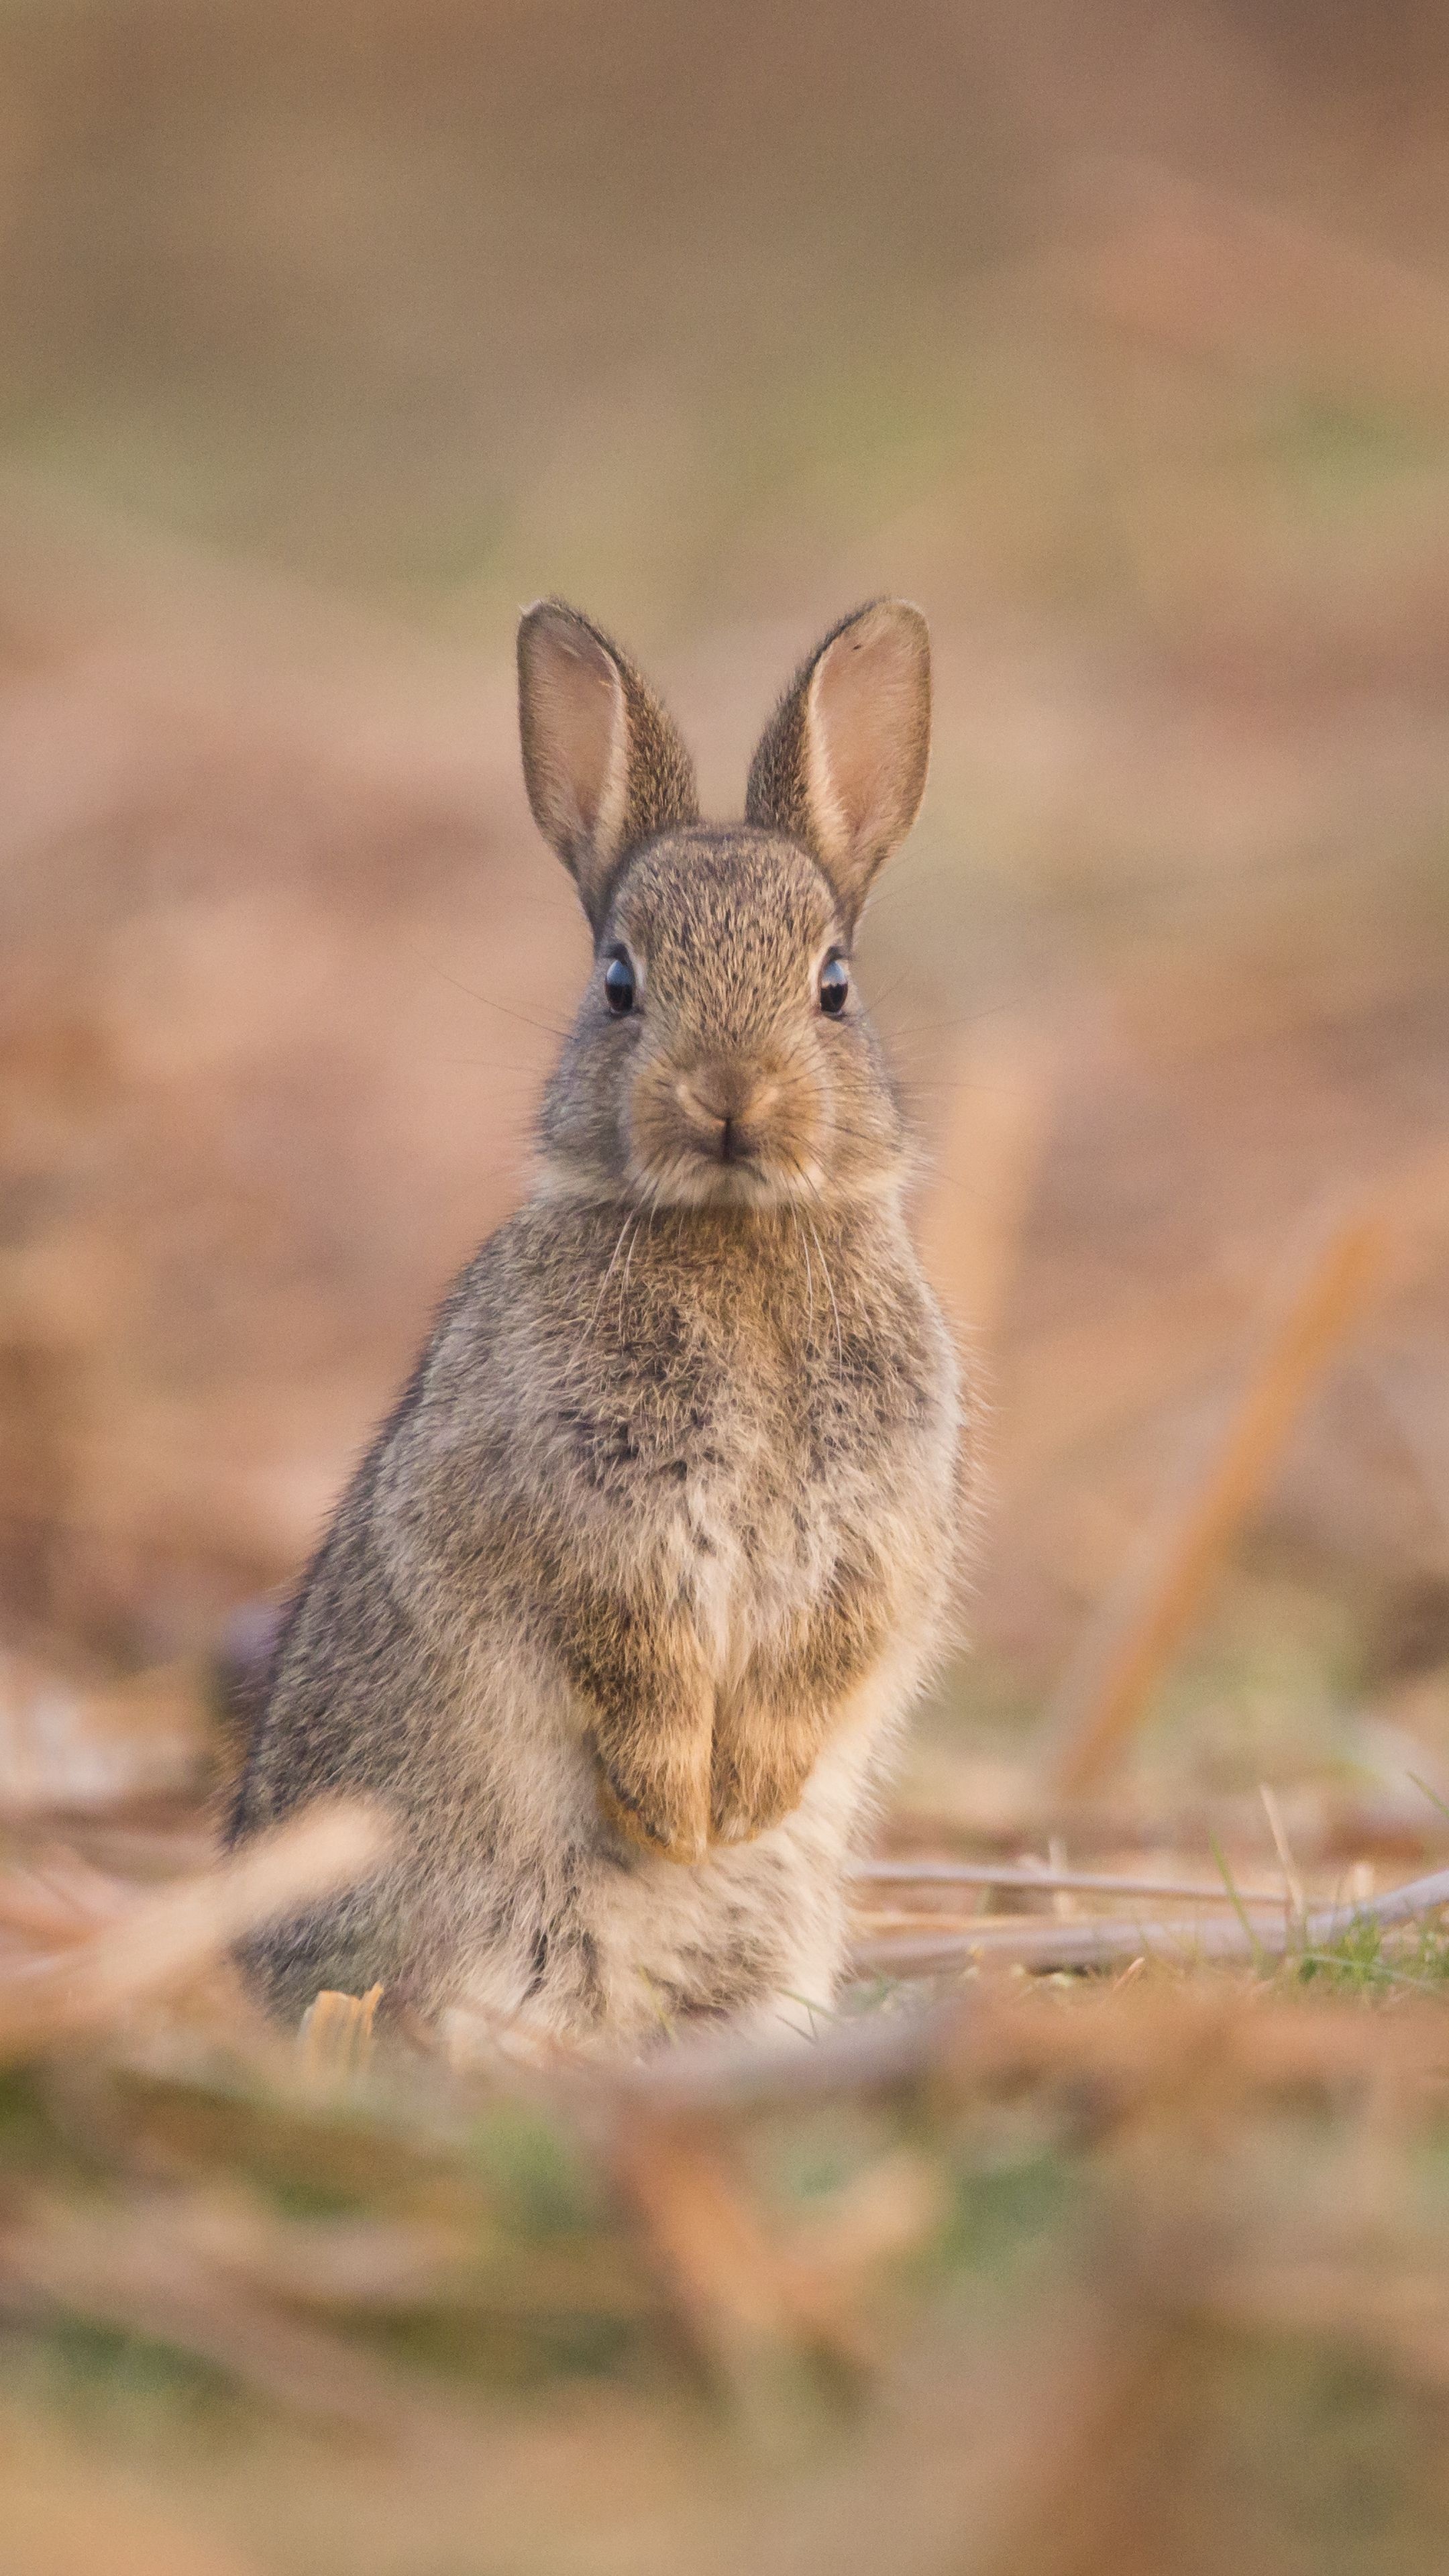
[[1118, 336]]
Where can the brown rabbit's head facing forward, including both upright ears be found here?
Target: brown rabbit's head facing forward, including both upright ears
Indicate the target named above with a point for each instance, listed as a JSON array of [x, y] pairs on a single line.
[[721, 1050]]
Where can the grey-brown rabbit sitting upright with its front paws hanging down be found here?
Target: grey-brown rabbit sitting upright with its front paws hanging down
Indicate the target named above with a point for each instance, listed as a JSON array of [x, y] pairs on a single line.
[[625, 1609]]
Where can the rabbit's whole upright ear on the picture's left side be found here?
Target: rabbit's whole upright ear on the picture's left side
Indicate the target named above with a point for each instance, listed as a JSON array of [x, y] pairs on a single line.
[[602, 759]]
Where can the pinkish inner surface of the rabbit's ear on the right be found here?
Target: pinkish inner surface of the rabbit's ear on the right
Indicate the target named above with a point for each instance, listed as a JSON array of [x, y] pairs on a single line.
[[870, 720]]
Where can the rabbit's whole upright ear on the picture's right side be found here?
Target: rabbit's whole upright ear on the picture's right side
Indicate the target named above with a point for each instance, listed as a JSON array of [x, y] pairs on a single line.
[[844, 756]]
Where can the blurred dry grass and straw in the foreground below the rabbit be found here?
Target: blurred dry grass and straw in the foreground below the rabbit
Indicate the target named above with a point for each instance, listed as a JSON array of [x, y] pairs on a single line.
[[754, 2284]]
